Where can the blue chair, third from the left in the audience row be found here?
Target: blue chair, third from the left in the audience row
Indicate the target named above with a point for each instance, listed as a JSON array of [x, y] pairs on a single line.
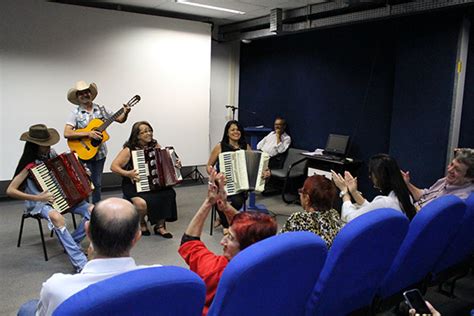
[[359, 257]]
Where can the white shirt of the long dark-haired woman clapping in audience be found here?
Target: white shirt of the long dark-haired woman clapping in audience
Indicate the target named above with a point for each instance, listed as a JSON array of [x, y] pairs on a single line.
[[350, 211]]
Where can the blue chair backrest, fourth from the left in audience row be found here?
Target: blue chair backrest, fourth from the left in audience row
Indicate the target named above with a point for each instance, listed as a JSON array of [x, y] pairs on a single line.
[[429, 233]]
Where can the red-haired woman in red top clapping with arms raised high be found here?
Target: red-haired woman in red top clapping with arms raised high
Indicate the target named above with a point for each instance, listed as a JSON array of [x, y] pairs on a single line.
[[201, 260]]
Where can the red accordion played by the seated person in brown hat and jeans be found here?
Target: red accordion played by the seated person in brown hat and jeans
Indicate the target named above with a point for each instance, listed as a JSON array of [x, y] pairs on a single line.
[[66, 178]]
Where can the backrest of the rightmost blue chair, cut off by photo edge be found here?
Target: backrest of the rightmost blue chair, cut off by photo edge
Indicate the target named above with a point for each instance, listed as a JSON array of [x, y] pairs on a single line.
[[462, 245]]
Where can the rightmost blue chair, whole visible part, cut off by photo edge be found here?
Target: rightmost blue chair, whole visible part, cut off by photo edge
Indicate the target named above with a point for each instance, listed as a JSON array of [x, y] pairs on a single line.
[[455, 260]]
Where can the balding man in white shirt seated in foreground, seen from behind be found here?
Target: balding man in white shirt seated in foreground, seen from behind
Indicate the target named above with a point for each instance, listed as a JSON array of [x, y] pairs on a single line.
[[113, 230]]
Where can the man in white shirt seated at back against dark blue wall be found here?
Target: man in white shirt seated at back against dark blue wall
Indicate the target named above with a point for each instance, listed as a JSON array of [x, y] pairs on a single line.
[[276, 143]]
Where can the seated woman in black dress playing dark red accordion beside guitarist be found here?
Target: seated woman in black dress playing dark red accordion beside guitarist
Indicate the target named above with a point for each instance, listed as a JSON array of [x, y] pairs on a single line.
[[159, 205]]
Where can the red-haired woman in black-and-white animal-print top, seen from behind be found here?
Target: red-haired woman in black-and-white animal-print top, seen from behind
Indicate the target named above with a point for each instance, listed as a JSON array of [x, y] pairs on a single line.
[[318, 216]]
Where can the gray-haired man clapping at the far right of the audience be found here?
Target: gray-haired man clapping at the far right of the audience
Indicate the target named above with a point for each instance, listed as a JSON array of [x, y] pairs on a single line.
[[459, 179]]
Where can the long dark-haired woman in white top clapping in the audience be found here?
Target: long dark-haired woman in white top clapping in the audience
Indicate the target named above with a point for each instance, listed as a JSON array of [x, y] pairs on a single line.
[[387, 178]]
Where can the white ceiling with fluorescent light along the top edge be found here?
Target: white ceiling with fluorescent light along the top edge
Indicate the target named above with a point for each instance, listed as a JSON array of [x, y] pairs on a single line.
[[252, 8]]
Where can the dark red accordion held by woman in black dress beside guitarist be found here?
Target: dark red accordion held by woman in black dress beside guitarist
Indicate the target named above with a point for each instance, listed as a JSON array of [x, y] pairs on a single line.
[[156, 168]]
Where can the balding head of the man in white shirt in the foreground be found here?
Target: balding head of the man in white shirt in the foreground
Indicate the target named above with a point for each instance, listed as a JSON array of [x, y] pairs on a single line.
[[113, 227]]
